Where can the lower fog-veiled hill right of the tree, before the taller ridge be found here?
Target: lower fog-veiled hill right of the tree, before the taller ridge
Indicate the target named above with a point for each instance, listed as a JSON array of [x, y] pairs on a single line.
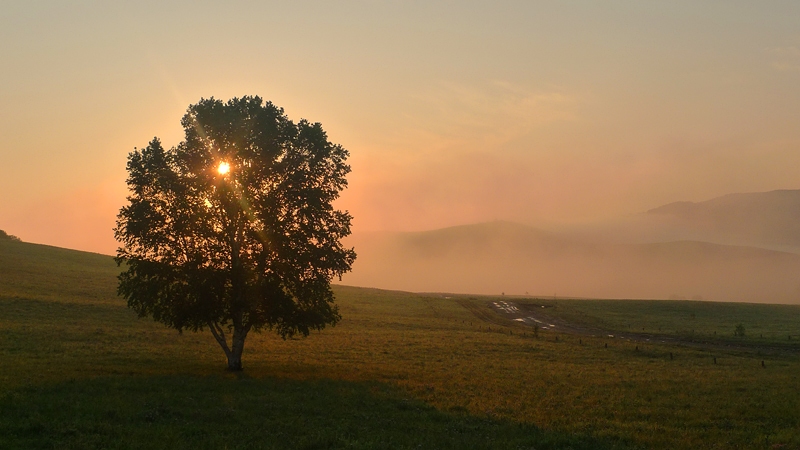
[[498, 257]]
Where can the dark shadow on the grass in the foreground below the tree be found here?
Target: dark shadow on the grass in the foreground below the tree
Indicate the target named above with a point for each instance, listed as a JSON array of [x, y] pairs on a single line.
[[215, 412]]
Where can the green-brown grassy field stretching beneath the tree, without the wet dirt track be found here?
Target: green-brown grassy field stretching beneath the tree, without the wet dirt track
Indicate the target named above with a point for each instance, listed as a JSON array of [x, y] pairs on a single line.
[[401, 370]]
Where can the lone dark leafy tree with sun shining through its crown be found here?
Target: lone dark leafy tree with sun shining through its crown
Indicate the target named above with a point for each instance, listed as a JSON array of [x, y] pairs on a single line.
[[234, 229]]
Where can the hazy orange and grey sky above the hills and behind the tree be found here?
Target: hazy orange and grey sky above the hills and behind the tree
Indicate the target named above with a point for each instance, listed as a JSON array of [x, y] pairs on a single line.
[[454, 112]]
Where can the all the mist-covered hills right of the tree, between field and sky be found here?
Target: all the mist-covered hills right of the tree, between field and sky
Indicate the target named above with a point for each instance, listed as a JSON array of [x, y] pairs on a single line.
[[734, 248]]
